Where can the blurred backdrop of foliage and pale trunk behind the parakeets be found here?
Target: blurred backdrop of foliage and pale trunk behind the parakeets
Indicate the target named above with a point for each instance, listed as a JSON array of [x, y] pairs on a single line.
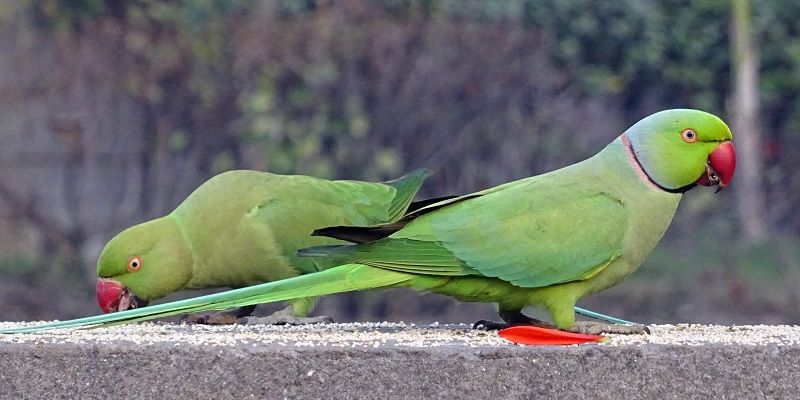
[[112, 111]]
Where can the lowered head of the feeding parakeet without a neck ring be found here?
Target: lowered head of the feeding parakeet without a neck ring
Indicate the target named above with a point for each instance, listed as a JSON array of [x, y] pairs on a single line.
[[142, 263]]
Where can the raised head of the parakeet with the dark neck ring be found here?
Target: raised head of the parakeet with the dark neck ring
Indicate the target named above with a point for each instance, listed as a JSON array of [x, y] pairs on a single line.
[[678, 149]]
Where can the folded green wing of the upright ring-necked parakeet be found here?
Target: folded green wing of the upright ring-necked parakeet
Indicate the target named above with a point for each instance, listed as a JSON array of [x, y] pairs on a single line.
[[524, 234]]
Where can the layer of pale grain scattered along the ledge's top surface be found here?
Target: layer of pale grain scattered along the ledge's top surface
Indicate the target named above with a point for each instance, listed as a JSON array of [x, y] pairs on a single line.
[[389, 334]]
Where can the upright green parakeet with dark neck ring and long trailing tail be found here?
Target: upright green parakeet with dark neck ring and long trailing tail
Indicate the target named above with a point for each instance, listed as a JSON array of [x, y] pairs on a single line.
[[546, 240]]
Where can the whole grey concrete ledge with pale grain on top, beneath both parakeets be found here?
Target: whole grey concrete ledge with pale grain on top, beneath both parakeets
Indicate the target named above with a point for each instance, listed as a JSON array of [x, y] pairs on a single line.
[[394, 360]]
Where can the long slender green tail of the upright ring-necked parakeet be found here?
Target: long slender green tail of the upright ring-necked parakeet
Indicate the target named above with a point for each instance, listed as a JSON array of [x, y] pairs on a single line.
[[344, 278]]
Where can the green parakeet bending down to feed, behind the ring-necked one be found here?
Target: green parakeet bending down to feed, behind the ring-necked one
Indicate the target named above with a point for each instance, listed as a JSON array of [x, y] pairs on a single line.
[[238, 229]]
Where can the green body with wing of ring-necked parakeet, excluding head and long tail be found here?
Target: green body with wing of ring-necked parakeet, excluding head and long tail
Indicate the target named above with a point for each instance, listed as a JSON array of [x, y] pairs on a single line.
[[547, 240]]
